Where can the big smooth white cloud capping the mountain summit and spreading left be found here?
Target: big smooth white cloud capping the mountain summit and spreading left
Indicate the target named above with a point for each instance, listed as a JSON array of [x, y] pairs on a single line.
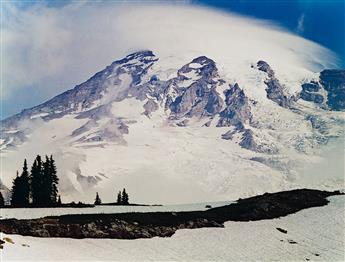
[[54, 49]]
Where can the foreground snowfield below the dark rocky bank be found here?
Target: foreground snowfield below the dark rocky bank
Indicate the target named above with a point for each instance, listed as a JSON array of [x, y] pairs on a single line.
[[318, 233]]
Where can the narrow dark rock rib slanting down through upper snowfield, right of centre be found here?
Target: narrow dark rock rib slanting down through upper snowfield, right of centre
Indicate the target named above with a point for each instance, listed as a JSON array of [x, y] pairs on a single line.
[[274, 89]]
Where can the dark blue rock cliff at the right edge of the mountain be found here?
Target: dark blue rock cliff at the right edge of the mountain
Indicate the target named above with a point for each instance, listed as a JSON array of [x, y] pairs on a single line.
[[333, 82]]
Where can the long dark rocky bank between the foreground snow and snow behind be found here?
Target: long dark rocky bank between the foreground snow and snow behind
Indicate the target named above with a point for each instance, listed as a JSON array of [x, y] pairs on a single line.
[[165, 224]]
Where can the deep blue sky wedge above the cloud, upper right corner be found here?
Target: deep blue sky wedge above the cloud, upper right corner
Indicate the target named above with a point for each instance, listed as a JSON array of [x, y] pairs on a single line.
[[322, 21]]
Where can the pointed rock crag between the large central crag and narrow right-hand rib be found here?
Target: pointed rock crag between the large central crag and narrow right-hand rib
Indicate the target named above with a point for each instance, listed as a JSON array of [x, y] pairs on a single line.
[[237, 109]]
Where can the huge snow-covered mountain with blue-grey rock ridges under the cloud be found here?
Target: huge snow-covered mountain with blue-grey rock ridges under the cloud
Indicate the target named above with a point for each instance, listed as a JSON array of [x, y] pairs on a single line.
[[181, 133]]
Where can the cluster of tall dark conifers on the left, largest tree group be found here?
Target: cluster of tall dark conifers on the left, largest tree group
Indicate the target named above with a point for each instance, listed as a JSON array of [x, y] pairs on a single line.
[[39, 187]]
